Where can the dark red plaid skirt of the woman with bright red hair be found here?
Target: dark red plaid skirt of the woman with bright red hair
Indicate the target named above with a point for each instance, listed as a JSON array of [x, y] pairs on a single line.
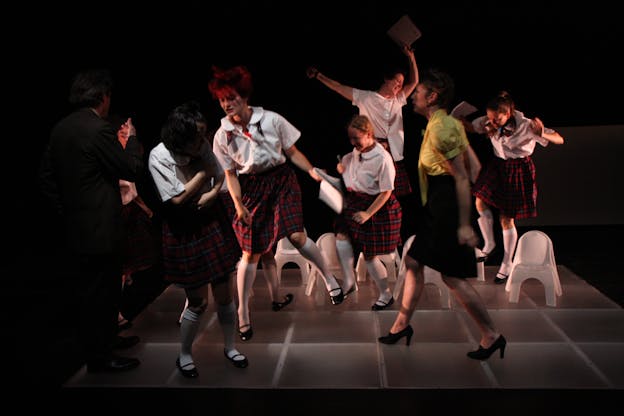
[[274, 200]]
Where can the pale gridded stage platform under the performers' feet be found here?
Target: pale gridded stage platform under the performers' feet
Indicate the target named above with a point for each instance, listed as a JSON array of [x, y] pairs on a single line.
[[311, 344]]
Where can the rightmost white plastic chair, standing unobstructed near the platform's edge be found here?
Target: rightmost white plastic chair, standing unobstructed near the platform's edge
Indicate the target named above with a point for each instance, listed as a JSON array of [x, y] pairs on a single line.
[[534, 259]]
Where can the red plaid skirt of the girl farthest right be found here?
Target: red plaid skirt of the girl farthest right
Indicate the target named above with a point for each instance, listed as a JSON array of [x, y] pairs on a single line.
[[510, 186]]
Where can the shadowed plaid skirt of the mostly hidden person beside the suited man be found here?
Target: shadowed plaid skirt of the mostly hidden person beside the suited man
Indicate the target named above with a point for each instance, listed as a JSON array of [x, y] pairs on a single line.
[[141, 247]]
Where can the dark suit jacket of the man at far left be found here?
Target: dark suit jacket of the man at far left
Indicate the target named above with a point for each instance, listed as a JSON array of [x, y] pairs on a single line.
[[80, 174]]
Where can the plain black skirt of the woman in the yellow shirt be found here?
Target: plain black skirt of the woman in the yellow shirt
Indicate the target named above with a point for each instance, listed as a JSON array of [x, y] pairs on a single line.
[[436, 242]]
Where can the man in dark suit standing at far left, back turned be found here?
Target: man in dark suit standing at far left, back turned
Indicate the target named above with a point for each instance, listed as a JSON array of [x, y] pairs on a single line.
[[80, 174]]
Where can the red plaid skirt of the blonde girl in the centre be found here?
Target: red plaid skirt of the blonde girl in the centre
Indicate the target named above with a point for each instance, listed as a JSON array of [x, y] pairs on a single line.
[[380, 234]]
